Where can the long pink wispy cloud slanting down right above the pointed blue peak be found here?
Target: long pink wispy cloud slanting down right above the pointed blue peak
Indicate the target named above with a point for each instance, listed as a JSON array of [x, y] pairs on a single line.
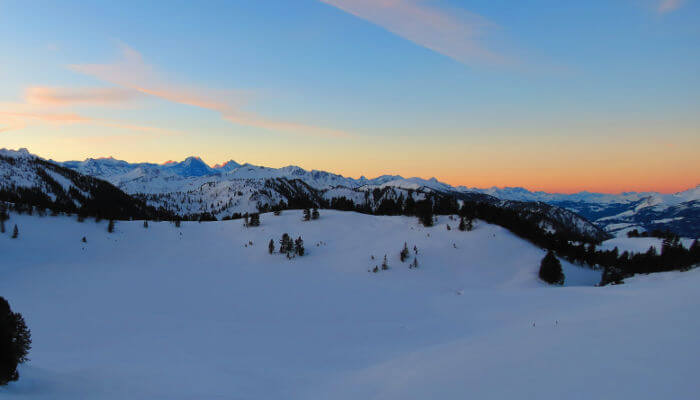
[[132, 72]]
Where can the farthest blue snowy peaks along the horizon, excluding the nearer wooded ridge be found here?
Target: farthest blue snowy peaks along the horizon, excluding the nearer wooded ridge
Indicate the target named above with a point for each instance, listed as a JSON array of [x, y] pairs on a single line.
[[616, 213]]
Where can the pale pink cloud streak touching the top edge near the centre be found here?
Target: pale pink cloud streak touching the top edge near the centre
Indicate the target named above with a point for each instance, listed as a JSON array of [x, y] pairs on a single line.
[[457, 34]]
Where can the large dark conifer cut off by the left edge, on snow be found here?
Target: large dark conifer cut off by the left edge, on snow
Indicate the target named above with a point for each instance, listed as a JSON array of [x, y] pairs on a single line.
[[15, 342]]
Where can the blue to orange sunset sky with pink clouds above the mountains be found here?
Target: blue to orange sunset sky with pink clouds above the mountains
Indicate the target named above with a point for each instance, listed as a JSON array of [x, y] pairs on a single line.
[[596, 95]]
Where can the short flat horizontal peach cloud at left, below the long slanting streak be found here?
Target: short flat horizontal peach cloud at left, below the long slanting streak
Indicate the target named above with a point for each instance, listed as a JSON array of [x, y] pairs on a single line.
[[60, 96]]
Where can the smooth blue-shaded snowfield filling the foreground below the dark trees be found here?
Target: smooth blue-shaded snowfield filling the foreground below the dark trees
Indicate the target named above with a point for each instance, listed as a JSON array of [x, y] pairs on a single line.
[[196, 312]]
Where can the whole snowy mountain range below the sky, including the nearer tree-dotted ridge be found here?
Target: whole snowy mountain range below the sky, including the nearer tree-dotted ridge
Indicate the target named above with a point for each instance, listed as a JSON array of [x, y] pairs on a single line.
[[192, 187]]
